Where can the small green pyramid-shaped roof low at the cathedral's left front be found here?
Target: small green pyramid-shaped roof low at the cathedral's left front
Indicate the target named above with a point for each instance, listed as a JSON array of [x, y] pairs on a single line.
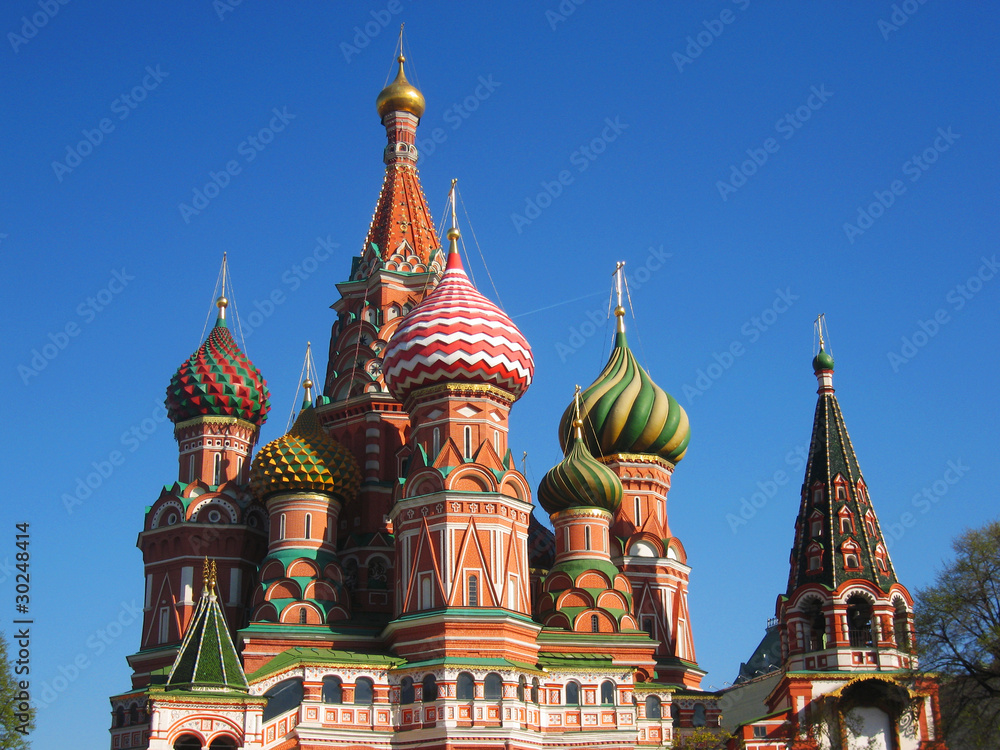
[[207, 660]]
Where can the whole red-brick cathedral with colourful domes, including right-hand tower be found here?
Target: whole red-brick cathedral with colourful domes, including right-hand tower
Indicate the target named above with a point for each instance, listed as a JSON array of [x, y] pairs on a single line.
[[376, 578]]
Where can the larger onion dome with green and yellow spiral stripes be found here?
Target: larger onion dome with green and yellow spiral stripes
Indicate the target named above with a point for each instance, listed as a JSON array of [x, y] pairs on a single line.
[[624, 411]]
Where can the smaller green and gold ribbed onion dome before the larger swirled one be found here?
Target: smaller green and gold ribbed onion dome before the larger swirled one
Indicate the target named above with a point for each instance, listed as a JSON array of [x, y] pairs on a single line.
[[580, 480]]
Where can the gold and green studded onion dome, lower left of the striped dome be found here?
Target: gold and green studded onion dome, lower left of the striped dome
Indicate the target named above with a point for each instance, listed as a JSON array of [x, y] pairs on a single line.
[[306, 459]]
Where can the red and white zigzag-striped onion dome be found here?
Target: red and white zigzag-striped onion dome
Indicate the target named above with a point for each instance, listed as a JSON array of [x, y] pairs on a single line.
[[456, 335]]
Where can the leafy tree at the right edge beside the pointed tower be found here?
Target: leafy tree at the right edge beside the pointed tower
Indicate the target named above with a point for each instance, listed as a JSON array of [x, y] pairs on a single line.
[[958, 624]]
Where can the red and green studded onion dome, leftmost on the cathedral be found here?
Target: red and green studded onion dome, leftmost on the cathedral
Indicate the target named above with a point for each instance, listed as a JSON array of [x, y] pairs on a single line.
[[218, 380]]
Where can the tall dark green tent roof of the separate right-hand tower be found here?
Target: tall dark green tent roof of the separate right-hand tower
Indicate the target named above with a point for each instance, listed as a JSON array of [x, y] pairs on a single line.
[[835, 503]]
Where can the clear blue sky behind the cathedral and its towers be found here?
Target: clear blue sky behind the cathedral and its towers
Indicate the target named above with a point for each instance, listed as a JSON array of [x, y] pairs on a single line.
[[645, 112]]
